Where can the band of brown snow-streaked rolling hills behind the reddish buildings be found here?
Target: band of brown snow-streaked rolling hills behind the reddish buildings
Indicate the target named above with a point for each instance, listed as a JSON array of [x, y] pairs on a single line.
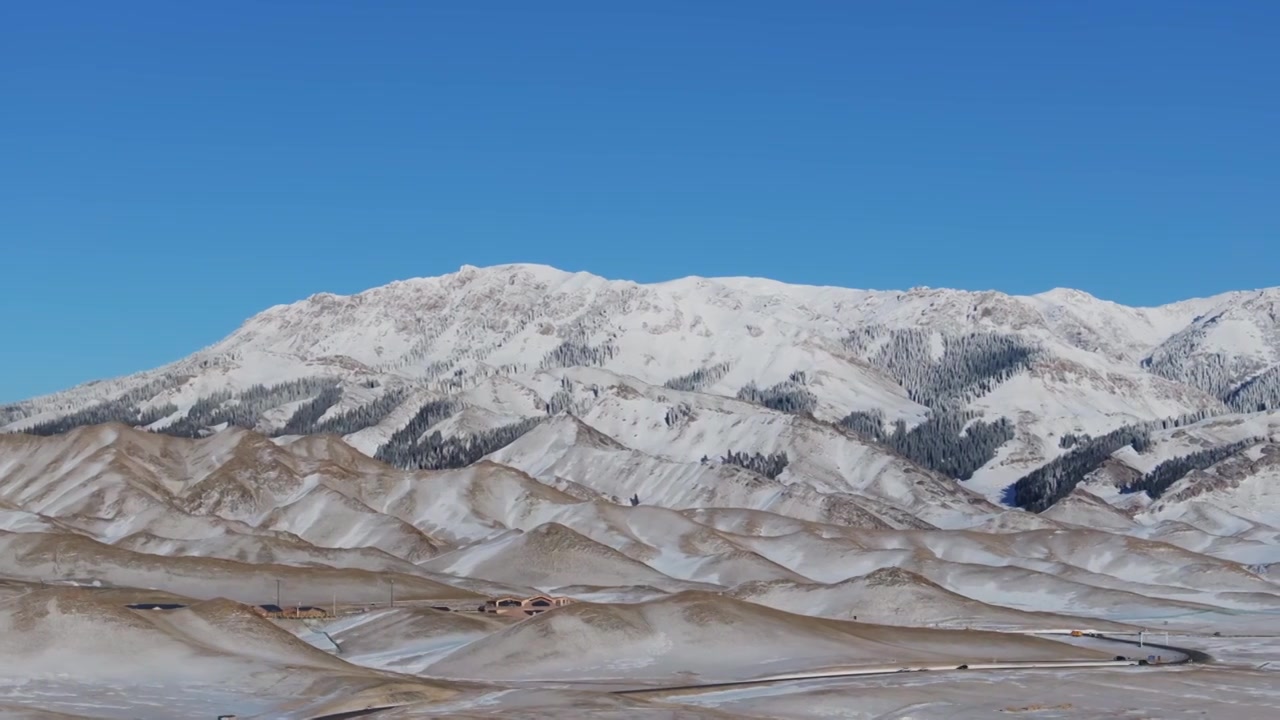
[[496, 527]]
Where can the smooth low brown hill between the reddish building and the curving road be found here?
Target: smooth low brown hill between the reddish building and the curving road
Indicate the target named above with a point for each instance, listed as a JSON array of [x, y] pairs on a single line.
[[714, 637]]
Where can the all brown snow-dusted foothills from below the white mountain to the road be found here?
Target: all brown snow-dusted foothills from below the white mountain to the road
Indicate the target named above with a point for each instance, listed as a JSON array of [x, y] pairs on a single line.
[[684, 571]]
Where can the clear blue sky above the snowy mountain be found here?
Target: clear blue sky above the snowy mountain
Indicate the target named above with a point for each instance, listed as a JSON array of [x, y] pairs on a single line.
[[168, 170]]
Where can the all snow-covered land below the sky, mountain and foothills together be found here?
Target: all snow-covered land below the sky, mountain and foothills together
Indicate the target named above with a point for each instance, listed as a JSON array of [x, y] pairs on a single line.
[[707, 531]]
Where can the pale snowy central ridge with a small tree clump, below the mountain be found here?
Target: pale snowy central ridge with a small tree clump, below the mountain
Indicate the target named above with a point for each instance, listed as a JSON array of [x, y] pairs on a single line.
[[566, 450]]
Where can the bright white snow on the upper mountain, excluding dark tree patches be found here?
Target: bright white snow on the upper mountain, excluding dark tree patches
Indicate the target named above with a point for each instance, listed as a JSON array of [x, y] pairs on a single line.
[[484, 336]]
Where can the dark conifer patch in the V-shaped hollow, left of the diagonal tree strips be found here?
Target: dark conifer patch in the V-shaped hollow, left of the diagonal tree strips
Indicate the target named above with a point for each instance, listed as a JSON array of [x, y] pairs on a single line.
[[943, 443]]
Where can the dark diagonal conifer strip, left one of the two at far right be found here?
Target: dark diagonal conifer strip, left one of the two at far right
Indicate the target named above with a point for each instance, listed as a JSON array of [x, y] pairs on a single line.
[[1045, 486]]
